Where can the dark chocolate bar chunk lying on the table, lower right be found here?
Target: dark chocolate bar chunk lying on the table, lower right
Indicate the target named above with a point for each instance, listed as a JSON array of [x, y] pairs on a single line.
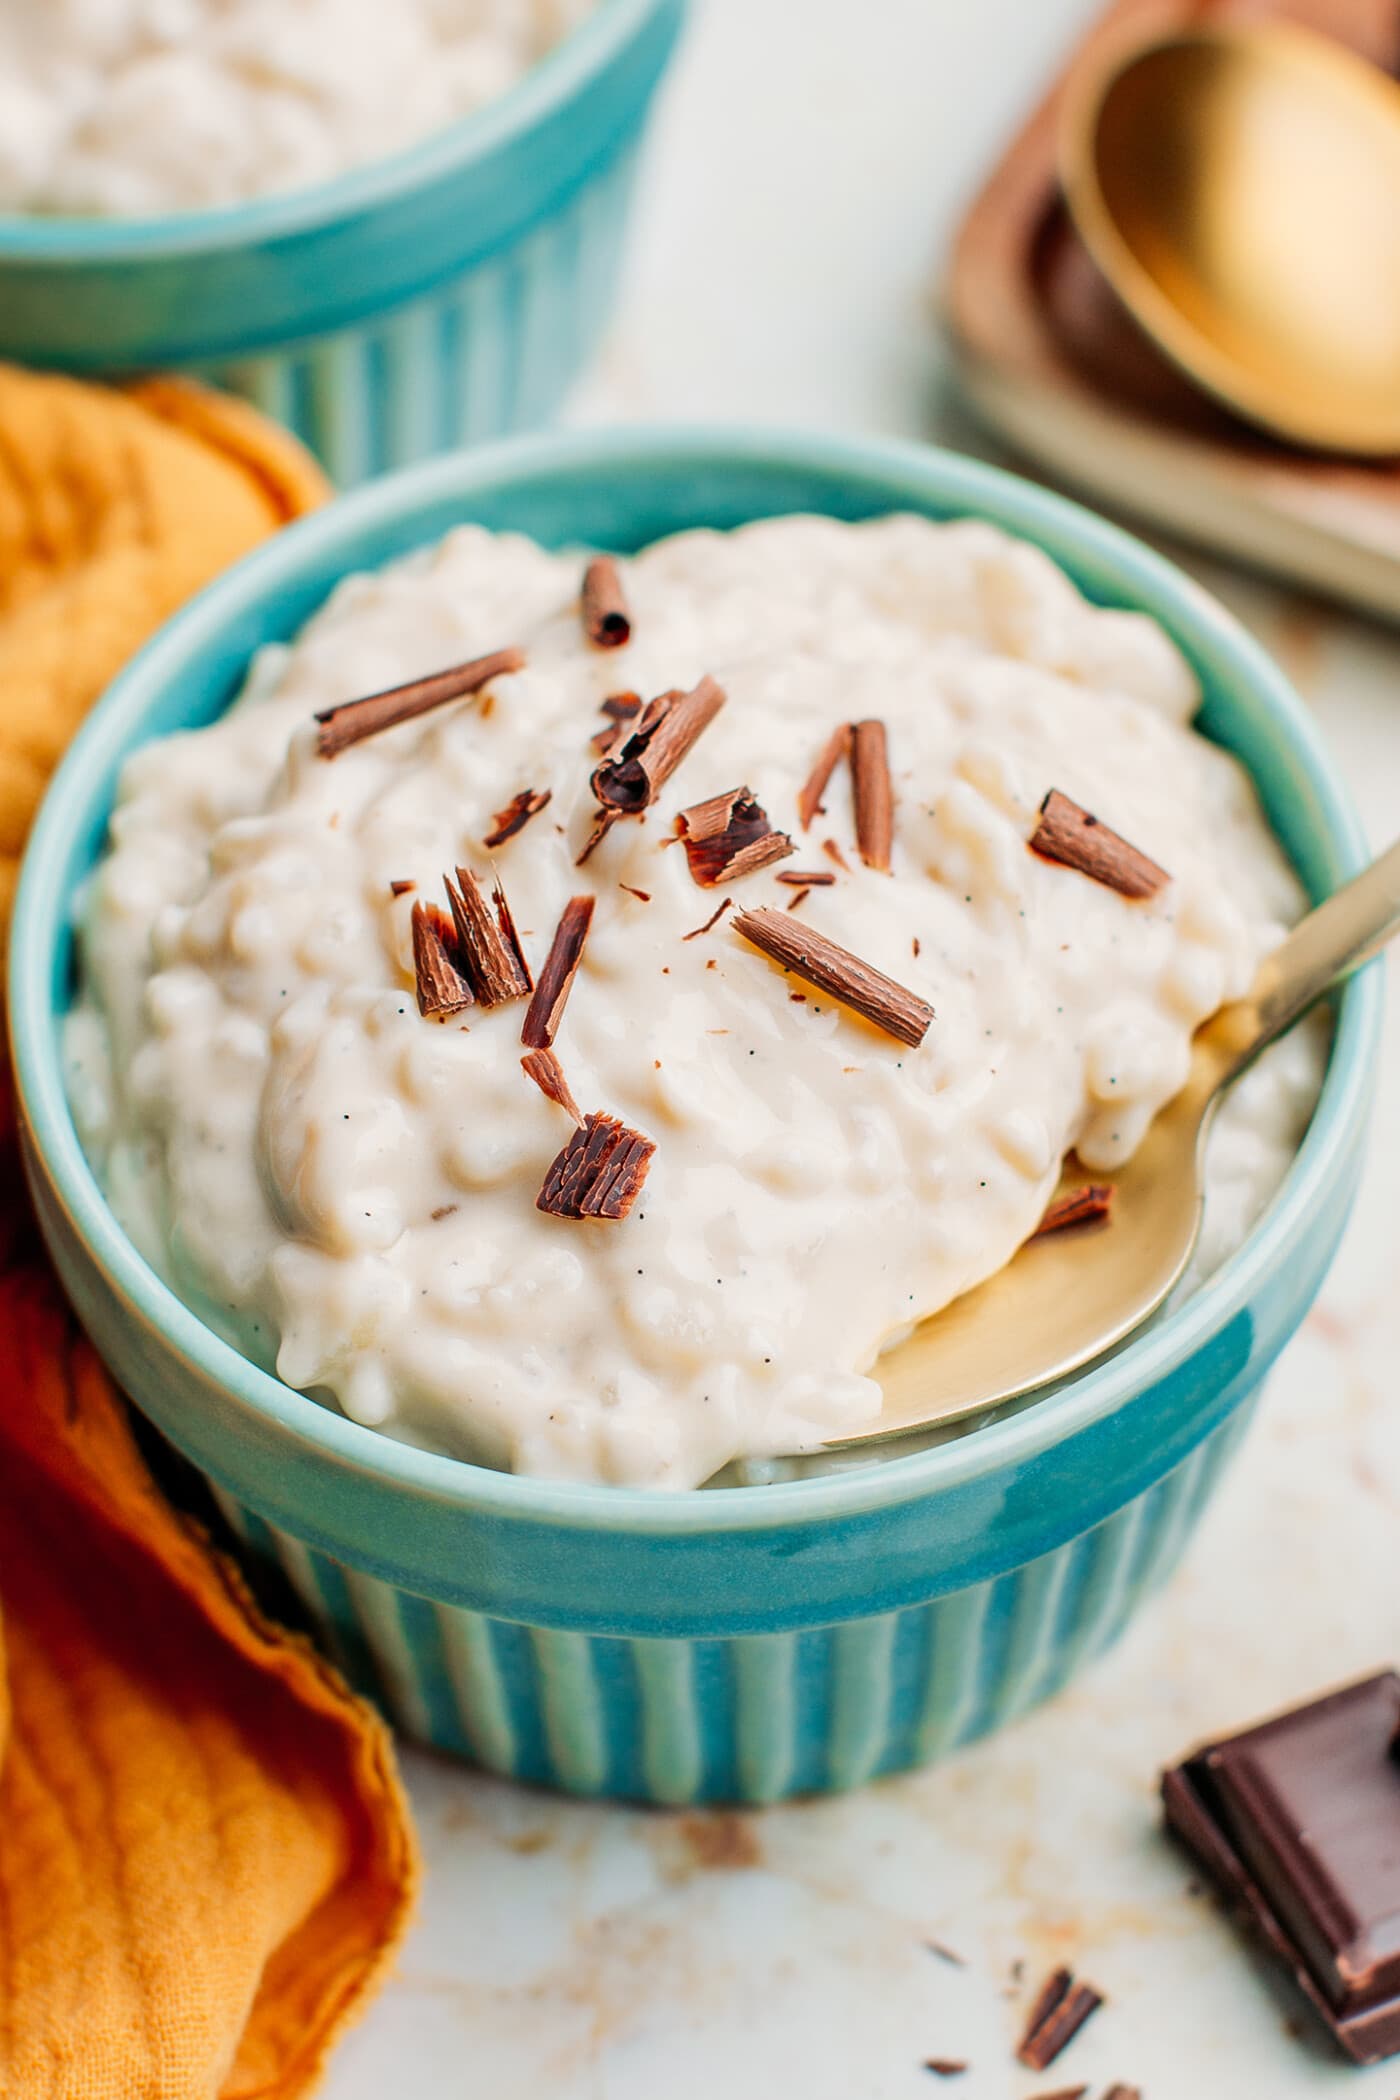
[[1298, 1824]]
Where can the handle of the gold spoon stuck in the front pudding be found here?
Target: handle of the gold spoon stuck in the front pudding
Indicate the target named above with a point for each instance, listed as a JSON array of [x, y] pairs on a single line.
[[1323, 950]]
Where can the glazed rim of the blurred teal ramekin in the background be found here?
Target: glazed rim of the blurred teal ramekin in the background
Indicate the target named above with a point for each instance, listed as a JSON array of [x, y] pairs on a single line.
[[551, 85]]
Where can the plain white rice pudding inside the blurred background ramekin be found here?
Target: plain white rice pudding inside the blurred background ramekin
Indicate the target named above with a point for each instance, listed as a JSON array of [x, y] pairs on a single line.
[[129, 108]]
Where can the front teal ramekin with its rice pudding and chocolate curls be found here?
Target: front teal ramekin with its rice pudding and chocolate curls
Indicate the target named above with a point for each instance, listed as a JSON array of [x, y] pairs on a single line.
[[551, 967]]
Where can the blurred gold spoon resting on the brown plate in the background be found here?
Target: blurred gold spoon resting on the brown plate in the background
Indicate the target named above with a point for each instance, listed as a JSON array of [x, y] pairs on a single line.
[[1242, 192]]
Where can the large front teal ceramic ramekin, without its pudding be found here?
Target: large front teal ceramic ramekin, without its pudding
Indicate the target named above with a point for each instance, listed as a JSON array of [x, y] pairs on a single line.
[[731, 1643]]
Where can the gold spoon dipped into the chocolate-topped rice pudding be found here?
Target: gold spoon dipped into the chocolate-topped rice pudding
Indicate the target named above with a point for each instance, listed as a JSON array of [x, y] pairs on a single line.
[[1061, 1305]]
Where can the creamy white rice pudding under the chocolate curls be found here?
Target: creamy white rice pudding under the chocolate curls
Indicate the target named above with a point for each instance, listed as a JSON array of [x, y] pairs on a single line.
[[349, 1190]]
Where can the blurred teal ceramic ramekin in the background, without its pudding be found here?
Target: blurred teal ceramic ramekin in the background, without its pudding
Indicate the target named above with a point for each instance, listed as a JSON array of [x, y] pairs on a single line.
[[427, 301]]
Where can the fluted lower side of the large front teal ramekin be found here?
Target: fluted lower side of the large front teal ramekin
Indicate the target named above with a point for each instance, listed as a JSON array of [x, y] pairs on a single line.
[[752, 1719]]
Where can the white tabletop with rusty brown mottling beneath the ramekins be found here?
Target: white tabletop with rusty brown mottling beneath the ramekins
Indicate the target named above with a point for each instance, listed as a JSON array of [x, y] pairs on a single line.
[[589, 1954]]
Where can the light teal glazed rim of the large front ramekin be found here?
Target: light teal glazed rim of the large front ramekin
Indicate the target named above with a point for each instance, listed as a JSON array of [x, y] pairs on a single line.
[[912, 474]]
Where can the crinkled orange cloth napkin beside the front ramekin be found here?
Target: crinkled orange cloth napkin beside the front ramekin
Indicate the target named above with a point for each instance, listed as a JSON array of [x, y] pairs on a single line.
[[205, 1851]]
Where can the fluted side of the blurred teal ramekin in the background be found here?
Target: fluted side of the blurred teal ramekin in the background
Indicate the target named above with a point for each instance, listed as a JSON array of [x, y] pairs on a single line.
[[484, 356]]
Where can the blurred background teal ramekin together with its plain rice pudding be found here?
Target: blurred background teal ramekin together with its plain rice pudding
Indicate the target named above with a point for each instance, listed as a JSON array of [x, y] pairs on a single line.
[[394, 228]]
